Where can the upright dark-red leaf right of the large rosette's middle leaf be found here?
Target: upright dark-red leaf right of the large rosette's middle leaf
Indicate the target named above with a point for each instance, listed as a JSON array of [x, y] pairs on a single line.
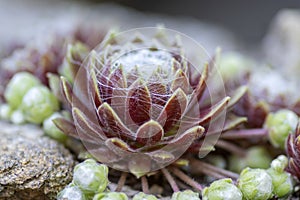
[[172, 112]]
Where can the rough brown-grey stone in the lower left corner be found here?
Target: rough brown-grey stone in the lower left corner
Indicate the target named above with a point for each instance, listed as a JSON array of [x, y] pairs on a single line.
[[31, 166]]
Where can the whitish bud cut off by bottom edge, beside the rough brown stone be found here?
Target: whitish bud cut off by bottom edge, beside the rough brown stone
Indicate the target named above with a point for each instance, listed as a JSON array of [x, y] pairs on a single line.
[[71, 192]]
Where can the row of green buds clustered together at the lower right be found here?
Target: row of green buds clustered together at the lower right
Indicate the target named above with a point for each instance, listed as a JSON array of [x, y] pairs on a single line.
[[254, 184]]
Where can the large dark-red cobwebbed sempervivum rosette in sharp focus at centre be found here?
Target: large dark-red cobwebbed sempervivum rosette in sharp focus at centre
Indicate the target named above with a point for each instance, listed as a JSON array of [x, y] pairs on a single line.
[[138, 104]]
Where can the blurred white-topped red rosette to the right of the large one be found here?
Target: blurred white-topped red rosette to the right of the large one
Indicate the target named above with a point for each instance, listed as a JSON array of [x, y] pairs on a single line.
[[268, 92]]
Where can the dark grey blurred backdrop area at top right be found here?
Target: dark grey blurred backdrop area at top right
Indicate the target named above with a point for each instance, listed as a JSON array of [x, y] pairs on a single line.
[[248, 20]]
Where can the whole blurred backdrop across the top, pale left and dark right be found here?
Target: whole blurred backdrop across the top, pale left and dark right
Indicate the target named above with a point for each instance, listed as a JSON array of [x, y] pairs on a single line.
[[231, 24]]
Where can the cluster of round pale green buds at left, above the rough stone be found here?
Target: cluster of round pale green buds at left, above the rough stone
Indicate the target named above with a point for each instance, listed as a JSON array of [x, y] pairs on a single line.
[[28, 100]]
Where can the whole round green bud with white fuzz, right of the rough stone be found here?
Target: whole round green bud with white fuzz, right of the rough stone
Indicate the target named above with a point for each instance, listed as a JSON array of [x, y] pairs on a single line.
[[91, 177]]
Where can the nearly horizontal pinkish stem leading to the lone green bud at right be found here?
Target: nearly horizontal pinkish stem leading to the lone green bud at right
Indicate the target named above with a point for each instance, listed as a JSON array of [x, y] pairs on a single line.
[[245, 134]]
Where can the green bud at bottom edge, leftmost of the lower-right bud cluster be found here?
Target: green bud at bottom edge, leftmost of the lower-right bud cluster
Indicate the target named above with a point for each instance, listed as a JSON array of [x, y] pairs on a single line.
[[223, 189]]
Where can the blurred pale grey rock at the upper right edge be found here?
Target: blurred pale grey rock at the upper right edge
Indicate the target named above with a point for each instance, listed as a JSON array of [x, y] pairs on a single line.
[[282, 43]]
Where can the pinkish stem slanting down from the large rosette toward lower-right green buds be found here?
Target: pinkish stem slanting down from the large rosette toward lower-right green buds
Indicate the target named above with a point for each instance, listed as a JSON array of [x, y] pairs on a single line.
[[199, 166]]
